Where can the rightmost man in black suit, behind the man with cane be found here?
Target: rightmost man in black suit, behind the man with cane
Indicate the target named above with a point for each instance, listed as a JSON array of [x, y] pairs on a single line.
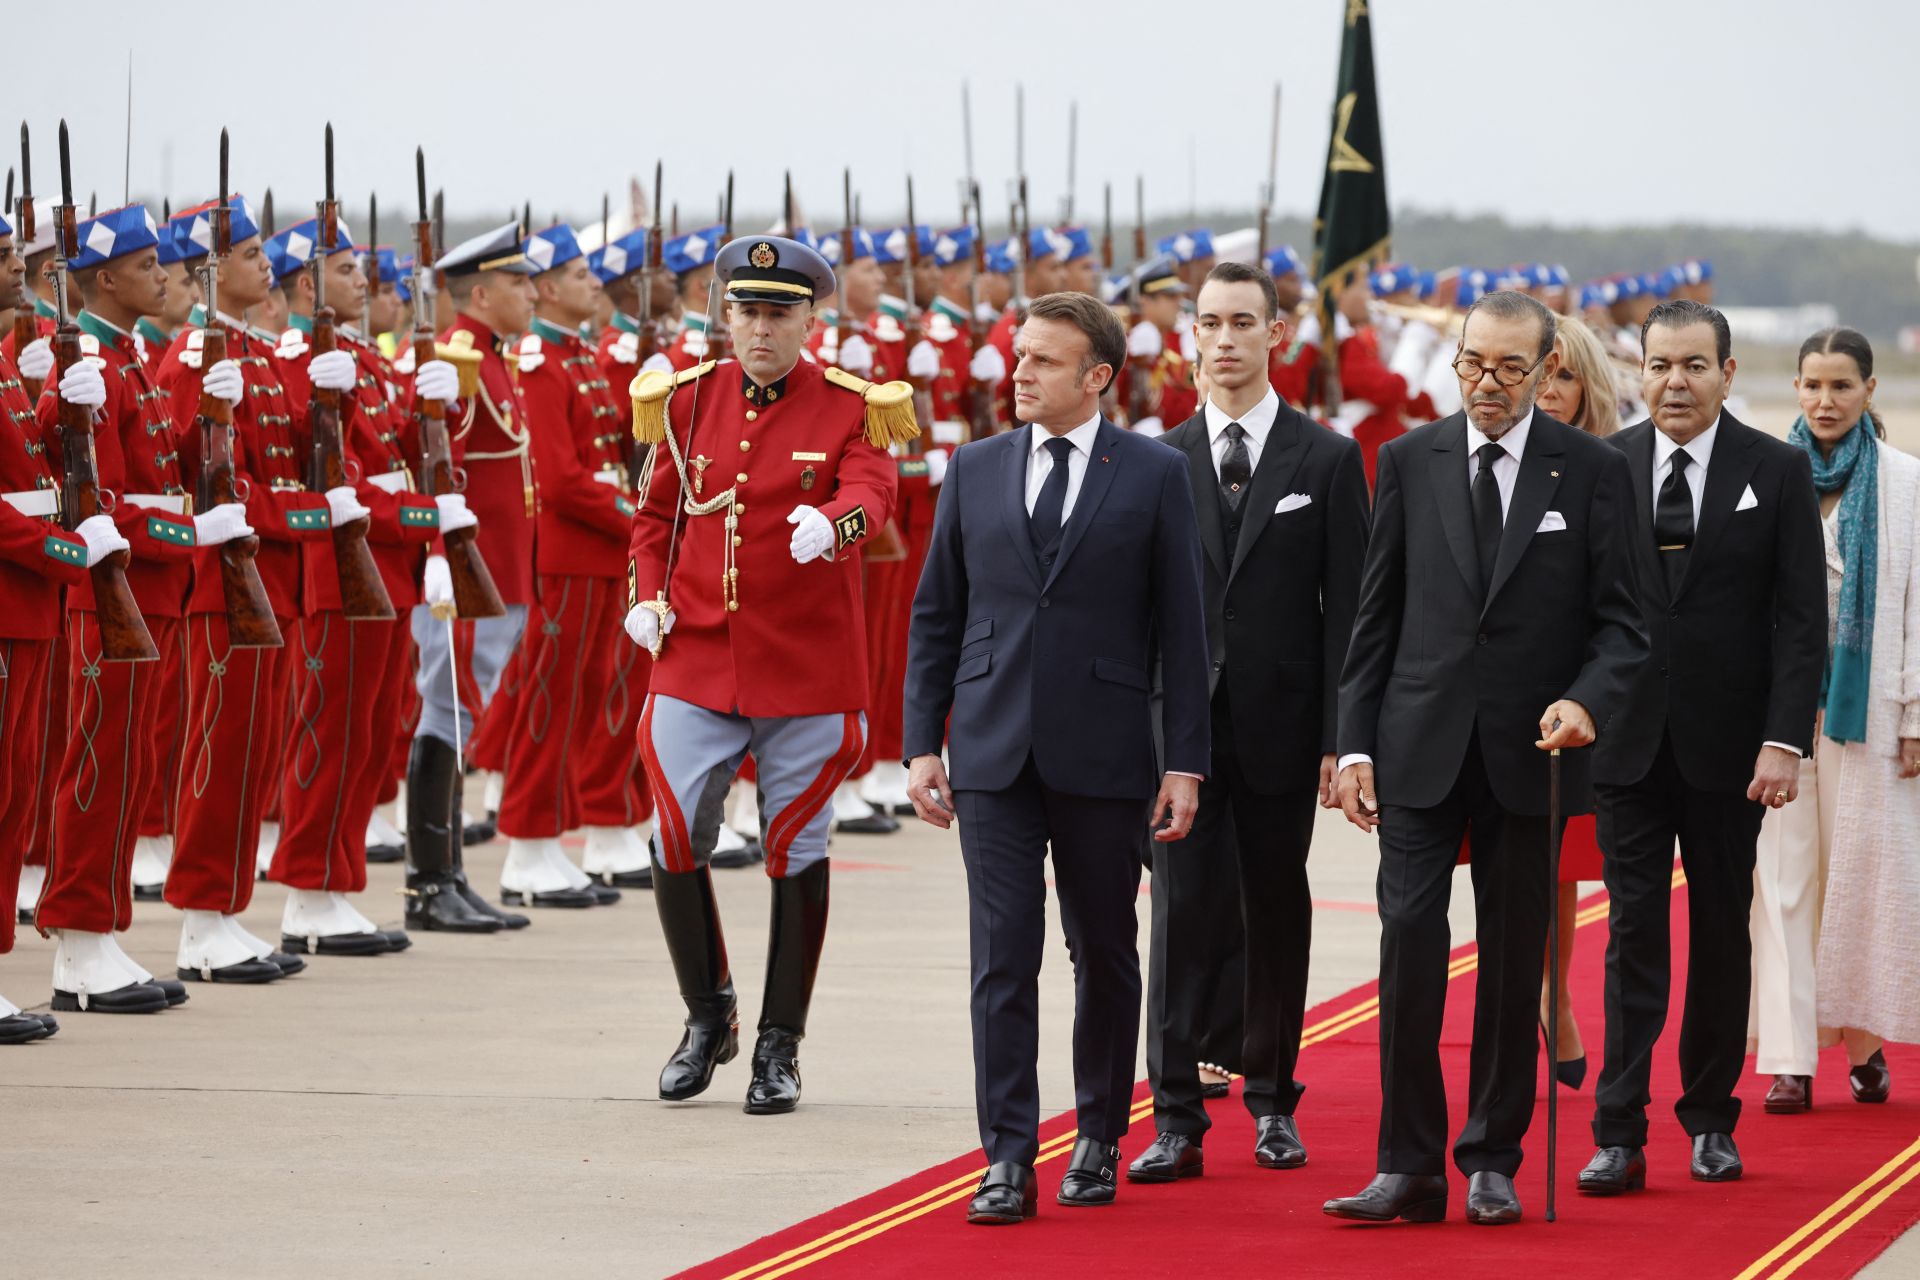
[[1733, 582]]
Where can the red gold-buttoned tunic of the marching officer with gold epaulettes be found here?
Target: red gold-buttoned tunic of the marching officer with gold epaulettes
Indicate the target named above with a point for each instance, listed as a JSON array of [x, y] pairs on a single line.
[[777, 638]]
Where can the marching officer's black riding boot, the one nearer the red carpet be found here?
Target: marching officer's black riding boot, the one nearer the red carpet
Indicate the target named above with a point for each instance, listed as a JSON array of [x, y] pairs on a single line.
[[798, 932]]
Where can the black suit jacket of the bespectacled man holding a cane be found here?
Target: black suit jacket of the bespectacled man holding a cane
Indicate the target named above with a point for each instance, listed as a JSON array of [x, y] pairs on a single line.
[[1433, 657]]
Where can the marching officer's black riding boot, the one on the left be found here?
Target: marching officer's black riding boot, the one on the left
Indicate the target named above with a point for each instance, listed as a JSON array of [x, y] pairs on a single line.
[[690, 918]]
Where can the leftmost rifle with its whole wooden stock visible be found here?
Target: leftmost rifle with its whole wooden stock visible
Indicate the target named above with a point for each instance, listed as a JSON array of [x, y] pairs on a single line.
[[124, 636]]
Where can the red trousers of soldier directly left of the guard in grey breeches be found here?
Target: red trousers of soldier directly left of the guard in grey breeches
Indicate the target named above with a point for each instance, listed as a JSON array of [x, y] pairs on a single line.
[[337, 749]]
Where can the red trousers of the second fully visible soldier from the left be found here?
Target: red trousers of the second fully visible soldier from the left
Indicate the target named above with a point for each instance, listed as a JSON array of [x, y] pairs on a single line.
[[235, 719]]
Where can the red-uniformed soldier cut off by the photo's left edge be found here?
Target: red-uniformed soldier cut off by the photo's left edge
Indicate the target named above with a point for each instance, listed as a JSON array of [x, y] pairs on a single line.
[[37, 559]]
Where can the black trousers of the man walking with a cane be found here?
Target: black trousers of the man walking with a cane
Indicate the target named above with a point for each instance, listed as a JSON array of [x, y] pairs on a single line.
[[1512, 899]]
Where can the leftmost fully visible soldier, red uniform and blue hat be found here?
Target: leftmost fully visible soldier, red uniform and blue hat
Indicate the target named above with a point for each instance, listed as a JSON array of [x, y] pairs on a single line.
[[112, 746]]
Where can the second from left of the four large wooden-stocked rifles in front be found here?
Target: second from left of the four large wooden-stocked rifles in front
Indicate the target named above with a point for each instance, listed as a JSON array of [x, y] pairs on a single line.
[[249, 613]]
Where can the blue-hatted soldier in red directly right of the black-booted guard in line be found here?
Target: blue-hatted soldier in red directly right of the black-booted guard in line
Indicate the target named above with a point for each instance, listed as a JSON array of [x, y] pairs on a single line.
[[571, 753]]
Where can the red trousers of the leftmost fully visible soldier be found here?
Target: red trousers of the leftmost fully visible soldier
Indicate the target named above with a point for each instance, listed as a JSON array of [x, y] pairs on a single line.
[[105, 780]]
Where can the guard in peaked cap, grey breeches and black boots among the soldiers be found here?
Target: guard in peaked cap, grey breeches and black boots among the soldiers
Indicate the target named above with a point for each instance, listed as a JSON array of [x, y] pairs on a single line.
[[489, 429]]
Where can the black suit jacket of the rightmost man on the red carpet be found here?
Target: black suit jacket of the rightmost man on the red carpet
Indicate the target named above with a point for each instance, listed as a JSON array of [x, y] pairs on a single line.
[[1740, 648]]
